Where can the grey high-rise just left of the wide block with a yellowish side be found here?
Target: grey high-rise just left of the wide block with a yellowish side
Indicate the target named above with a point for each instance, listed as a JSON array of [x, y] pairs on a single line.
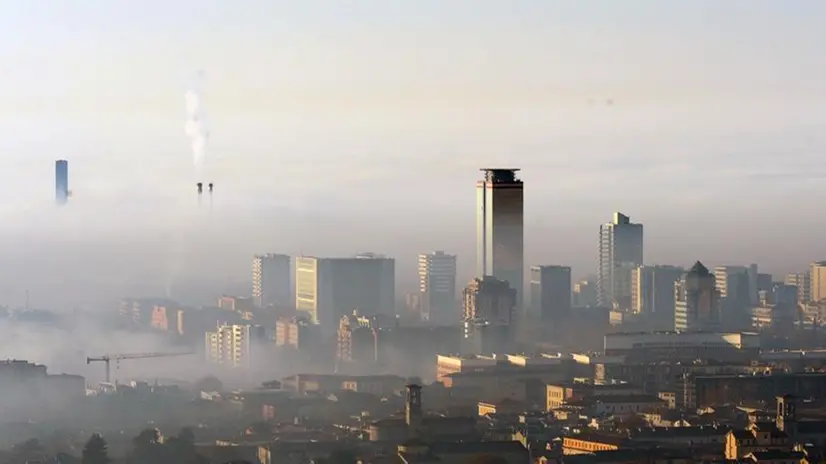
[[271, 280]]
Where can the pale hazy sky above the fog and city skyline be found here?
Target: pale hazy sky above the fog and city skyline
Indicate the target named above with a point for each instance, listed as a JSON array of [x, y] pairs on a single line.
[[378, 114]]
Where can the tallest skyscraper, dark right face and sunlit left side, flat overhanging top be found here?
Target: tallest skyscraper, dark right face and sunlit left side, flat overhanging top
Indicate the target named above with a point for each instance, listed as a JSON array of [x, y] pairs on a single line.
[[500, 228]]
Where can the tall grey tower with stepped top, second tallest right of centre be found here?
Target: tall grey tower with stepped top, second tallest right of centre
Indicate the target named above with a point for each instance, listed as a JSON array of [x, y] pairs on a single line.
[[620, 252]]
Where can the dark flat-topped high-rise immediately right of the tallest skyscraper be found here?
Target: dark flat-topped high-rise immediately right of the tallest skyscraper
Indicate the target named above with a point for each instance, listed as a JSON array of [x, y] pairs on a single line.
[[550, 290]]
